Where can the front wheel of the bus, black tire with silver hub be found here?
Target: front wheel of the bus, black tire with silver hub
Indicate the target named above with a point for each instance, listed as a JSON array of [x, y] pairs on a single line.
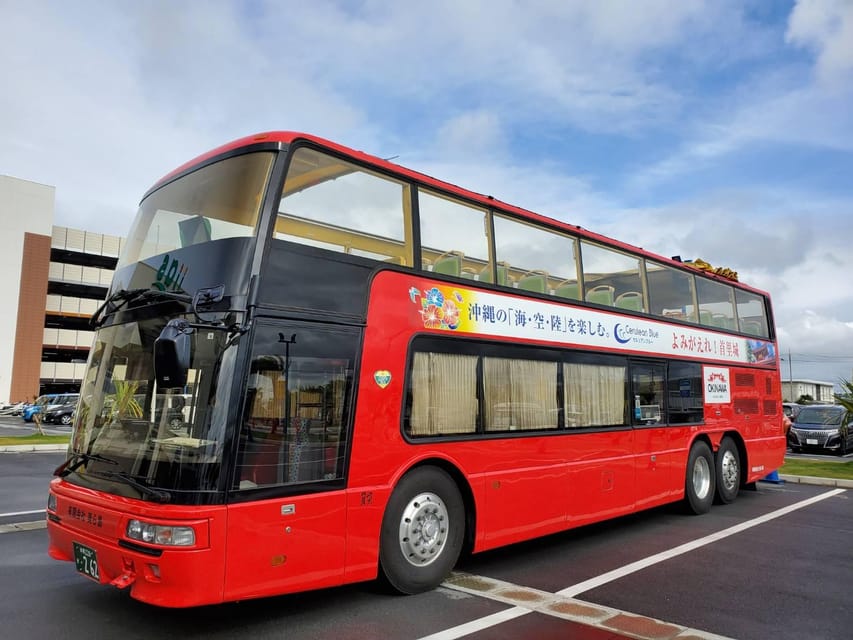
[[422, 531]]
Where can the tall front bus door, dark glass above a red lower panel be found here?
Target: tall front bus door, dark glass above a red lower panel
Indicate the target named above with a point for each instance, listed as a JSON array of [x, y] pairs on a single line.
[[287, 512]]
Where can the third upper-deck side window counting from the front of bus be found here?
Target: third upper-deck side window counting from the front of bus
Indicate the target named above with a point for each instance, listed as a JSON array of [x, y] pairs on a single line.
[[535, 259]]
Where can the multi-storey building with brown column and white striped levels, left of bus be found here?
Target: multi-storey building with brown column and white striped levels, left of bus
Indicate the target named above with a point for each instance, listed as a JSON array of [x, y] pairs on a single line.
[[54, 279]]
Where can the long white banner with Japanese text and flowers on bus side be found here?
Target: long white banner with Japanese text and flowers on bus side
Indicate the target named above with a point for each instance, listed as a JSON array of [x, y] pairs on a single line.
[[462, 310]]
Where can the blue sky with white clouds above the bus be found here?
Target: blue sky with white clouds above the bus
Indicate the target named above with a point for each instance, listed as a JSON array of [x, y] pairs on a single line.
[[717, 129]]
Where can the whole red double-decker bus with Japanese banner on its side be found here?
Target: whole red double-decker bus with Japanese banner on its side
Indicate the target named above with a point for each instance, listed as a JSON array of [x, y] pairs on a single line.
[[316, 367]]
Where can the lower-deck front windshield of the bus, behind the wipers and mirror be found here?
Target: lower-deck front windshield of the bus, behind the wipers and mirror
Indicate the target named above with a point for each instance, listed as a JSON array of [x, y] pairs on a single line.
[[132, 435]]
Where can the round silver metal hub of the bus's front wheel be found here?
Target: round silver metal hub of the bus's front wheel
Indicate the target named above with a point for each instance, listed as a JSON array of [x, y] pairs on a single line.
[[423, 529]]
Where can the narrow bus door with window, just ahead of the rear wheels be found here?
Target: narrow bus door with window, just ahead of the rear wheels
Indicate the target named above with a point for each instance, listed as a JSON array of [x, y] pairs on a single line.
[[652, 459]]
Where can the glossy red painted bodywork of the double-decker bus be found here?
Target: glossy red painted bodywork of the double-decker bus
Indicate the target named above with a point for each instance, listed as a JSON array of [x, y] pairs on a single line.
[[516, 487]]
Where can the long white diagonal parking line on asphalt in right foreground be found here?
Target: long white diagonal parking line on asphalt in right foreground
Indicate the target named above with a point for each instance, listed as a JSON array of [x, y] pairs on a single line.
[[480, 624]]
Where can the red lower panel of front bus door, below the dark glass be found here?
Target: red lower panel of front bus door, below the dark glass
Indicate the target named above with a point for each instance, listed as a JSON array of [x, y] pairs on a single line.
[[285, 544]]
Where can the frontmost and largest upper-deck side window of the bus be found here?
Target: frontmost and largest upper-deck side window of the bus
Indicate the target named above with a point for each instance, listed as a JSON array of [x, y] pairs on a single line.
[[340, 206]]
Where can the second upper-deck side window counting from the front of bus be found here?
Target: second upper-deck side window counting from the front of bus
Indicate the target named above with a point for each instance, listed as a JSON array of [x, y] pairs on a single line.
[[454, 236]]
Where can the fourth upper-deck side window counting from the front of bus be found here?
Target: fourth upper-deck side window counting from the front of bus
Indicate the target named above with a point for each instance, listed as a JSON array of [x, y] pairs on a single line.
[[611, 277]]
